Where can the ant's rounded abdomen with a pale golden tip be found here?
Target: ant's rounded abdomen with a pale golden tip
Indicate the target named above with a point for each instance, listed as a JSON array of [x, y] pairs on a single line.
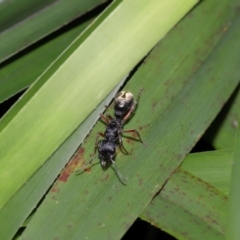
[[123, 102]]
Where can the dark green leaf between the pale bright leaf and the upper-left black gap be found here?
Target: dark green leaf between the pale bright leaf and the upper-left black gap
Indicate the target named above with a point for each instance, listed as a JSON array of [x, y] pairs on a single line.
[[20, 73]]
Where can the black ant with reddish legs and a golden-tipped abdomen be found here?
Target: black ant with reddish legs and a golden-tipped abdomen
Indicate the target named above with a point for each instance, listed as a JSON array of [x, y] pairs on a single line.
[[124, 105]]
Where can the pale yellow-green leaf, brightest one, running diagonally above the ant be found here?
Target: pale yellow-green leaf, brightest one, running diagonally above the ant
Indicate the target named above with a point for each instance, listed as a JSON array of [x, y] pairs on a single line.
[[53, 108]]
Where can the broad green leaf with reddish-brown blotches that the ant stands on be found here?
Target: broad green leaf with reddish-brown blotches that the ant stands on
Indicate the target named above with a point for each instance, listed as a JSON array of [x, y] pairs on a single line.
[[173, 112]]
